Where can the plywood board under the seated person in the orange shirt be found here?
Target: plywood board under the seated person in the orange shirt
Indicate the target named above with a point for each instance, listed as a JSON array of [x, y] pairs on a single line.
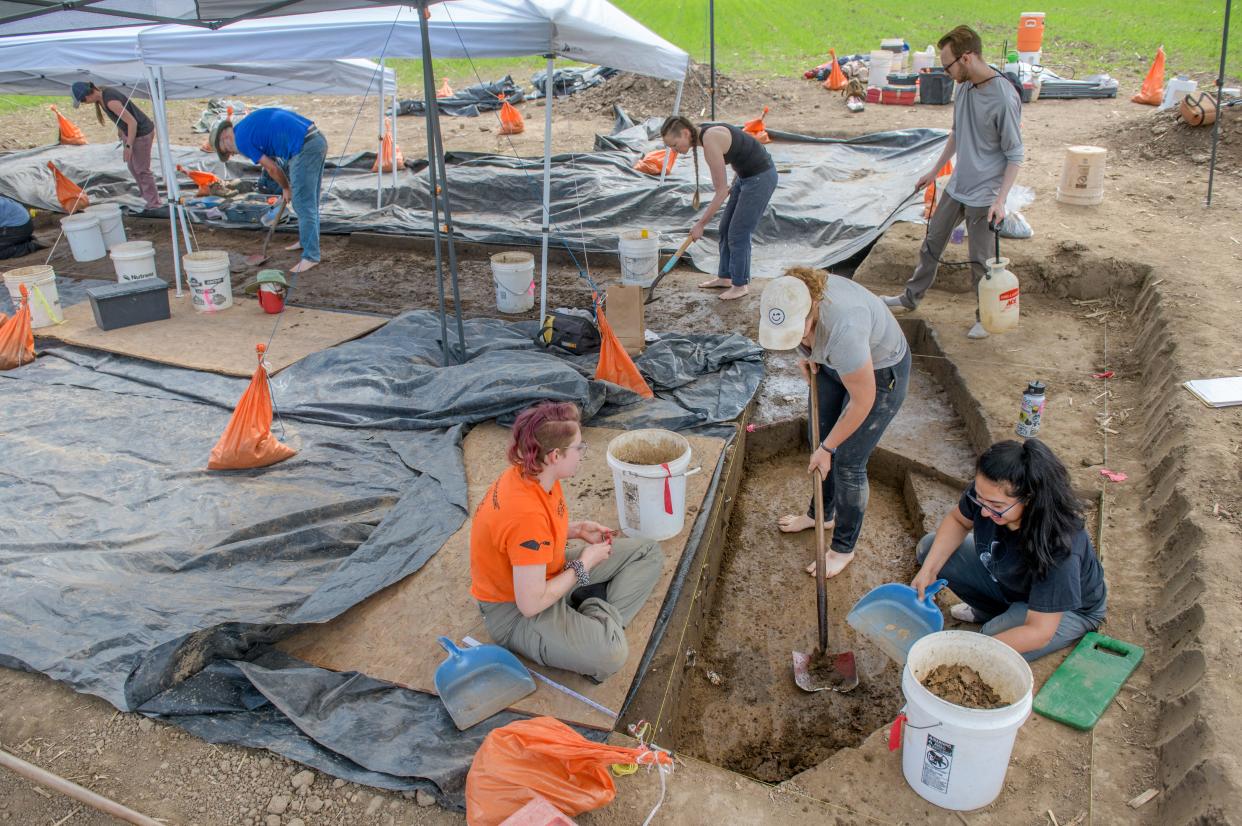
[[393, 635]]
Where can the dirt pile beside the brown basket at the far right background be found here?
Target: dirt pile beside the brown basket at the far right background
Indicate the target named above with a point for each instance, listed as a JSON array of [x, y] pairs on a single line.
[[1164, 136]]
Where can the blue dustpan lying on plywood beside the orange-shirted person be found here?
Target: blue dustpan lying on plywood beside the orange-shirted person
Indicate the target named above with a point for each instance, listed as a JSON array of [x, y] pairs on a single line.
[[475, 684]]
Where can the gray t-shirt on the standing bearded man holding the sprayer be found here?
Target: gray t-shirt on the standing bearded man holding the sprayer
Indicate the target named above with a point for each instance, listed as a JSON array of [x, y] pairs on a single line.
[[987, 122]]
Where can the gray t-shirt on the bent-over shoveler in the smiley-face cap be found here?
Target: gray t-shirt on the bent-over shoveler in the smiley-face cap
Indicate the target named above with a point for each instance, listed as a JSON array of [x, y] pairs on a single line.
[[856, 325]]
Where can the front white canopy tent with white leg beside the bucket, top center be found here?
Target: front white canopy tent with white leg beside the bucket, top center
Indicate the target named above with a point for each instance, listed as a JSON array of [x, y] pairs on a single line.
[[593, 32]]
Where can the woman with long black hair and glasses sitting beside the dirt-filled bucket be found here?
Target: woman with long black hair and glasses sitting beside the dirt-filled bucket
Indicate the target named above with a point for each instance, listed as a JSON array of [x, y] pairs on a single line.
[[1018, 555]]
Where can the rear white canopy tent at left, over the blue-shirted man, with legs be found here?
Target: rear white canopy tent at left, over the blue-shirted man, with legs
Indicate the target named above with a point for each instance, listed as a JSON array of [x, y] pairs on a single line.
[[50, 64]]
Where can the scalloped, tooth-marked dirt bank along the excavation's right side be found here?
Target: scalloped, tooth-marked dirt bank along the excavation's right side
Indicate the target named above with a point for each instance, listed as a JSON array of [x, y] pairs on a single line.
[[1198, 649]]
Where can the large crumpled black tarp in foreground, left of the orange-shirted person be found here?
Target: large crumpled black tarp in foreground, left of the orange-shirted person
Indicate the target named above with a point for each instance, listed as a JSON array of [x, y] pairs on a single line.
[[126, 568]]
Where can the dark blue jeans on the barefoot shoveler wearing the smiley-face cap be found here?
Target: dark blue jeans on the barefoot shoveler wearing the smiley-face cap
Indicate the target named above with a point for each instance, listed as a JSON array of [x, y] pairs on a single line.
[[846, 490]]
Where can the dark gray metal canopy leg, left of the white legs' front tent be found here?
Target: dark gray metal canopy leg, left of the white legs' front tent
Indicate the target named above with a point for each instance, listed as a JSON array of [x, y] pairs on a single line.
[[438, 181]]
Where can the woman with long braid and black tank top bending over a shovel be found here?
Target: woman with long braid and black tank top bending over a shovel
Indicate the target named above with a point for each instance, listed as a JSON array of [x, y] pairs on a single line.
[[753, 187]]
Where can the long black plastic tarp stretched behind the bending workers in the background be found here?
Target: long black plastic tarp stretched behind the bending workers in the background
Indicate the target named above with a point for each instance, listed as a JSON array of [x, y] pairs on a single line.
[[834, 197]]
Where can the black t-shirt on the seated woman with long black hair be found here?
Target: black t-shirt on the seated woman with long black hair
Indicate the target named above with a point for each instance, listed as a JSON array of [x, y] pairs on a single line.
[[1077, 584]]
